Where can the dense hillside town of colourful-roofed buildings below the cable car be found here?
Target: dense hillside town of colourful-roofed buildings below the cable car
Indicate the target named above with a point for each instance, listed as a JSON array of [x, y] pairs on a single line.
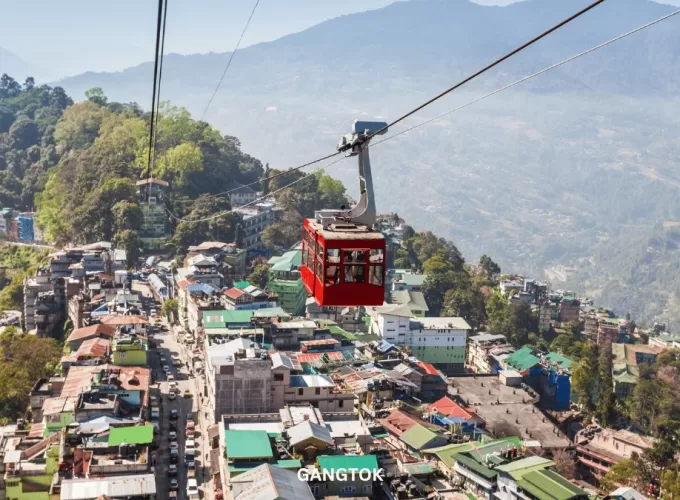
[[186, 377]]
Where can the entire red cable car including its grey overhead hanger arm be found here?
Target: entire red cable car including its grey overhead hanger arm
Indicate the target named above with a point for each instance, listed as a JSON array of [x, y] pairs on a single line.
[[343, 257]]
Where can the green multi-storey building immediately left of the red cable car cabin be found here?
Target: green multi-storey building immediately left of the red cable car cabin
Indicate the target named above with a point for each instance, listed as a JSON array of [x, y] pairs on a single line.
[[285, 282]]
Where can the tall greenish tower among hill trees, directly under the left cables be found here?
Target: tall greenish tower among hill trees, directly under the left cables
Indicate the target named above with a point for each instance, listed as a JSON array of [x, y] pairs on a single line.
[[154, 232]]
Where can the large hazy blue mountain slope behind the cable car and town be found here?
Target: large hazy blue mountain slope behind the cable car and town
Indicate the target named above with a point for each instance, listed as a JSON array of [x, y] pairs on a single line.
[[541, 176]]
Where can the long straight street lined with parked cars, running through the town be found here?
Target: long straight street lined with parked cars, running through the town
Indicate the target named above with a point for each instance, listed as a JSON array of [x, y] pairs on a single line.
[[168, 346]]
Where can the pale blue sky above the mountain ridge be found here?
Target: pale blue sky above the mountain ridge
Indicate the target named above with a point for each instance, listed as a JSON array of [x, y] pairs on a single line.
[[70, 37]]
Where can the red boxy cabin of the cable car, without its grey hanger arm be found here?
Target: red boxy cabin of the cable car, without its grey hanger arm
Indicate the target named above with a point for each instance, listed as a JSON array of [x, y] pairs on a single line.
[[343, 265]]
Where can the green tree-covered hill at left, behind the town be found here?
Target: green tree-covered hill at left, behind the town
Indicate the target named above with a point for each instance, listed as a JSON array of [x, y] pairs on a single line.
[[78, 165]]
